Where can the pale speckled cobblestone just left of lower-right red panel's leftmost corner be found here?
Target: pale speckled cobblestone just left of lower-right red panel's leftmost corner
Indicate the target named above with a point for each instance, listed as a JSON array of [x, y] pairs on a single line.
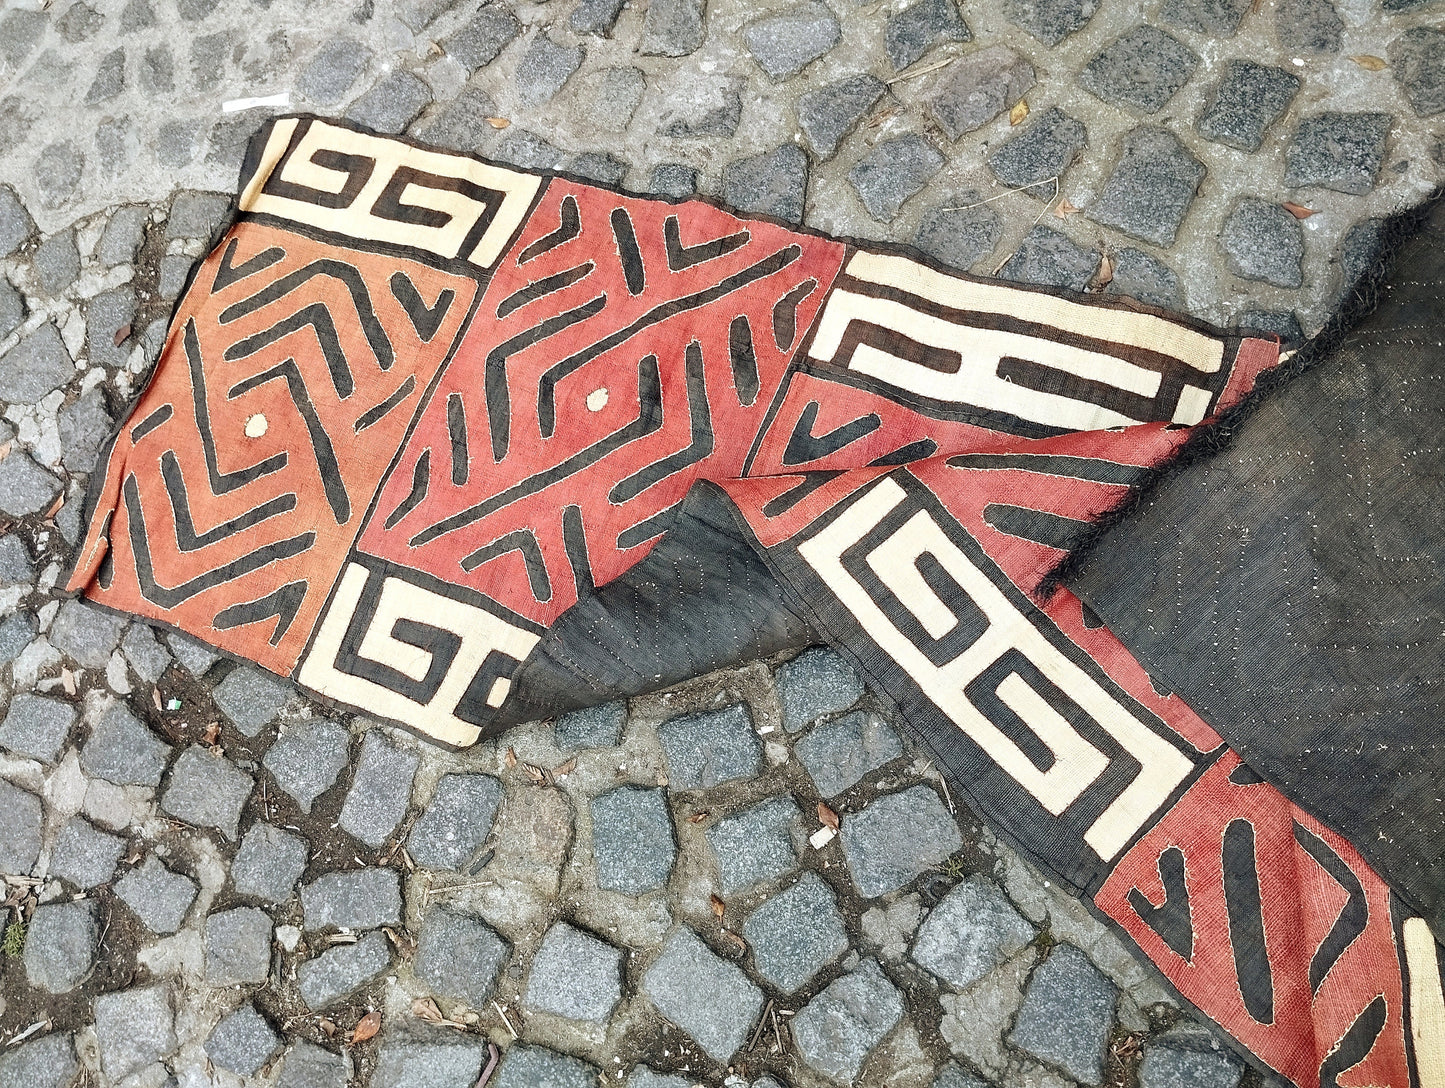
[[972, 931]]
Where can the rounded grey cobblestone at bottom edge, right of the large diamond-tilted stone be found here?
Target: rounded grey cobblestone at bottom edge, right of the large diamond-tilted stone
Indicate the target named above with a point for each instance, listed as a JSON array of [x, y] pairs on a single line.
[[839, 1029]]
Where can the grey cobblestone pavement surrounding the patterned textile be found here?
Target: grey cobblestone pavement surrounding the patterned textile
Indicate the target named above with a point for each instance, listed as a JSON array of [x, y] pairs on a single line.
[[215, 882]]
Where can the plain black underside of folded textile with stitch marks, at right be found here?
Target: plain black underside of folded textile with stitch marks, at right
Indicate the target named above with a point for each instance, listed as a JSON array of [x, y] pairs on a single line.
[[1291, 587]]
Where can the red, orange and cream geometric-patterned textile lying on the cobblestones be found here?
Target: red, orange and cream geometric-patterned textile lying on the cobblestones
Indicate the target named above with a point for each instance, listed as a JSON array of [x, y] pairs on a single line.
[[462, 446]]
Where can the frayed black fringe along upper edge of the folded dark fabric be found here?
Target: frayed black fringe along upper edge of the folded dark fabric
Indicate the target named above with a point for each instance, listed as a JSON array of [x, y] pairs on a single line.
[[1209, 440]]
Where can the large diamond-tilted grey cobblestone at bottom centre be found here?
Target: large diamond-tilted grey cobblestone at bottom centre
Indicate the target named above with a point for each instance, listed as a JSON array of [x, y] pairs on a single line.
[[706, 996]]
